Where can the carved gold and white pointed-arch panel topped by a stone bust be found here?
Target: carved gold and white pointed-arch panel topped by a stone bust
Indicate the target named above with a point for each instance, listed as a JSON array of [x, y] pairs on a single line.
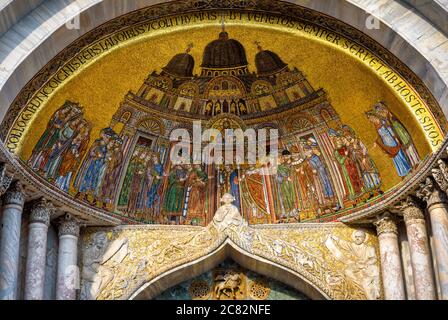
[[338, 261]]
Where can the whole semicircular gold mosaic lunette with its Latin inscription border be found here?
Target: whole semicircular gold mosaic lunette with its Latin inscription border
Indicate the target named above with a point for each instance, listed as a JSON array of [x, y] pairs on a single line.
[[351, 129]]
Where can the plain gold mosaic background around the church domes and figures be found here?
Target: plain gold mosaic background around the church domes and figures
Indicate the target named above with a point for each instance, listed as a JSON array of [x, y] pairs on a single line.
[[351, 86]]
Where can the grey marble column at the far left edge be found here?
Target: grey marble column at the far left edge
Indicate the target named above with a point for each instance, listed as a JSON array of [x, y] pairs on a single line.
[[13, 201]]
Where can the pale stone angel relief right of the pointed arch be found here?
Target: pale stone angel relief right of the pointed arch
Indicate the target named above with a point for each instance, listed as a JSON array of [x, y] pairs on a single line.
[[360, 261]]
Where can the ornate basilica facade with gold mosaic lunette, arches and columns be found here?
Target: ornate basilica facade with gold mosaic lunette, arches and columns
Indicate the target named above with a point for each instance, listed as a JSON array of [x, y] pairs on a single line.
[[256, 150]]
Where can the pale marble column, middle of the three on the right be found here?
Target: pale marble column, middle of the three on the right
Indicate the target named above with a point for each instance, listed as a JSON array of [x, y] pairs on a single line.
[[419, 249]]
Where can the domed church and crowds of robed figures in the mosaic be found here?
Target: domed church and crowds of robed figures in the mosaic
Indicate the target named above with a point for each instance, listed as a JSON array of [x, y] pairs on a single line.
[[324, 167]]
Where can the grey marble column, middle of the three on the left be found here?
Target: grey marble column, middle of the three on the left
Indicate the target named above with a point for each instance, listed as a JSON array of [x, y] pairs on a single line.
[[37, 247]]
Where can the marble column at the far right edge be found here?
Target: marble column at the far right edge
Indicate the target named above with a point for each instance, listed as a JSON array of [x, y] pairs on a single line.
[[437, 206]]
